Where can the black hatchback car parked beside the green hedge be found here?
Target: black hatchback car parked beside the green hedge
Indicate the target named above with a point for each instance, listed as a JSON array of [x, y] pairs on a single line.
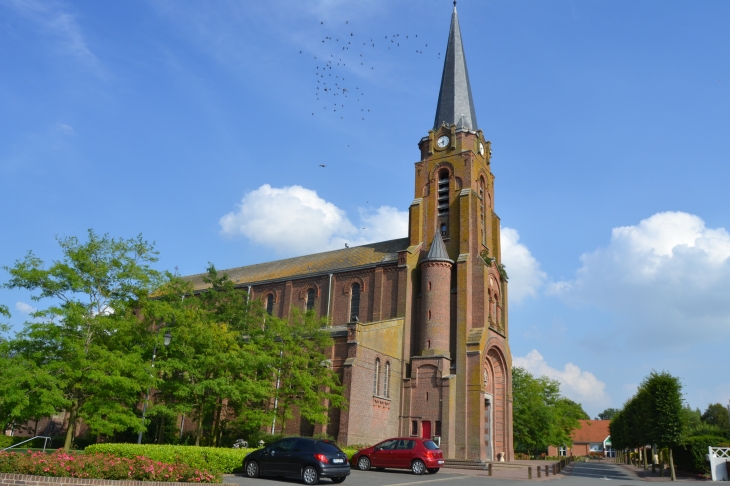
[[299, 457]]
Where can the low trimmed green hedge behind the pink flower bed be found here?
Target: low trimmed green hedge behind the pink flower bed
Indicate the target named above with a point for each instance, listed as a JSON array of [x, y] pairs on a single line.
[[214, 459]]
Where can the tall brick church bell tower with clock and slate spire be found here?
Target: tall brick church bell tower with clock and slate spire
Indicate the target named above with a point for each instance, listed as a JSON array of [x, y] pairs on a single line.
[[459, 347]]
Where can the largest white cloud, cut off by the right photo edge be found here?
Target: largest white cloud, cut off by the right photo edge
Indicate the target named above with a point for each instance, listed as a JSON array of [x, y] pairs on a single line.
[[666, 278]]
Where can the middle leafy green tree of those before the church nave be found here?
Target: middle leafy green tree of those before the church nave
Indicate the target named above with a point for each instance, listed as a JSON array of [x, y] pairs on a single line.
[[217, 364]]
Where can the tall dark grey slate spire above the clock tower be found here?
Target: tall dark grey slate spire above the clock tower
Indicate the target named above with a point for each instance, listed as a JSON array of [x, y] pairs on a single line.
[[455, 105]]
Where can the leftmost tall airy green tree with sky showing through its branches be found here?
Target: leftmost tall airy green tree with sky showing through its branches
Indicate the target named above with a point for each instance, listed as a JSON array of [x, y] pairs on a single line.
[[89, 339]]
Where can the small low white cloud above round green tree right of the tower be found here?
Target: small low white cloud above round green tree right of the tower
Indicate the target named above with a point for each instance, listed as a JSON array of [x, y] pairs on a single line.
[[580, 386]]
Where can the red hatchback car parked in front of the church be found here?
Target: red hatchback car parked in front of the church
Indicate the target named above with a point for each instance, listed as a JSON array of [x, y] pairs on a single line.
[[418, 455]]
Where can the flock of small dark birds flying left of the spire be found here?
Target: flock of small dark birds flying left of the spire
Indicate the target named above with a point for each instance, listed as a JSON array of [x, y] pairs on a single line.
[[351, 56]]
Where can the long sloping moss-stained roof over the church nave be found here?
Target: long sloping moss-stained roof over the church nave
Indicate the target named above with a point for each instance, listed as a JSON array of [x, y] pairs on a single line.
[[319, 263]]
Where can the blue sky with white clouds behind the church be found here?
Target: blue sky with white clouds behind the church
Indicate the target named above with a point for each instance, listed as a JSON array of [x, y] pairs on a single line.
[[191, 123]]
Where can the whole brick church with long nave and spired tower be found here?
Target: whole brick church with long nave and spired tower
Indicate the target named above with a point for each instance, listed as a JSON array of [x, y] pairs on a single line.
[[420, 324]]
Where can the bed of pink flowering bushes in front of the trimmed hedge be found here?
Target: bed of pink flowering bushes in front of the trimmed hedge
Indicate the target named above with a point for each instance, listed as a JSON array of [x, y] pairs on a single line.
[[101, 466]]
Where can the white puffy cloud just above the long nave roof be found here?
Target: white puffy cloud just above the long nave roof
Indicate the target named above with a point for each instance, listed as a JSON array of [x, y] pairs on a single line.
[[295, 221]]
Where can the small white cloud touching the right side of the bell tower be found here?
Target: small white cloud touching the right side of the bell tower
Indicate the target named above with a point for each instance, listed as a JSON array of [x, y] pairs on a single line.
[[525, 275]]
